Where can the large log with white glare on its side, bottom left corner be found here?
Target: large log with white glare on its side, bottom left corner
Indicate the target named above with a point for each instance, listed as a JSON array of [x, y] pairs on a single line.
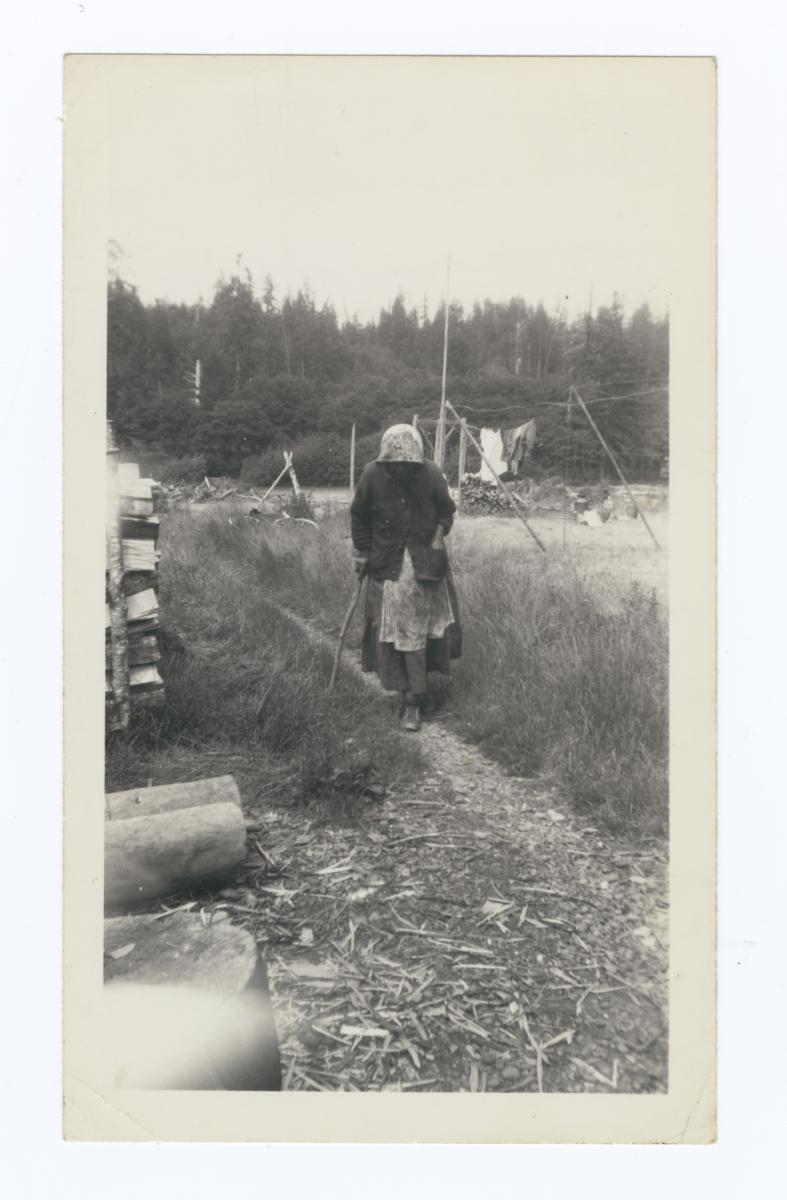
[[187, 1006]]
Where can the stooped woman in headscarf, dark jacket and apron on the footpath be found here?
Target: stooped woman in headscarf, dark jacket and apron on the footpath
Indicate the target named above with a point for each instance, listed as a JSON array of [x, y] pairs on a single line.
[[400, 515]]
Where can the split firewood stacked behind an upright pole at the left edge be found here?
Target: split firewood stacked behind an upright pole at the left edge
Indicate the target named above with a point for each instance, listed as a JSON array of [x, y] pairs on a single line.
[[133, 652]]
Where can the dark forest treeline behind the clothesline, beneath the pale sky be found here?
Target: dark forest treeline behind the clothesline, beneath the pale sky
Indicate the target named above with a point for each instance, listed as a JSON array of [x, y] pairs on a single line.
[[236, 381]]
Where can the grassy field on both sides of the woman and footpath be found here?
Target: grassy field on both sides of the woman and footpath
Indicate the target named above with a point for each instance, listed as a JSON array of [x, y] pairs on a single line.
[[564, 670]]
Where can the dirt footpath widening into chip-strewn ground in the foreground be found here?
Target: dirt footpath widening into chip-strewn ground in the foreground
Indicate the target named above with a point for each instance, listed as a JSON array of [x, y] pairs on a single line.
[[467, 933]]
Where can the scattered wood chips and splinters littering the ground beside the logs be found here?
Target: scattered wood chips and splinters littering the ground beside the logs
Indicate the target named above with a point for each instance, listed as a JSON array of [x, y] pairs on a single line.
[[395, 967]]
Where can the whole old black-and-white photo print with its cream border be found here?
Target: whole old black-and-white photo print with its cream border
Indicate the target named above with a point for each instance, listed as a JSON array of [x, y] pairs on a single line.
[[387, 364]]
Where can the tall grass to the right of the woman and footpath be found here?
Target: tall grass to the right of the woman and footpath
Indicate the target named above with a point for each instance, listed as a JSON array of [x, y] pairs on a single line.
[[563, 677]]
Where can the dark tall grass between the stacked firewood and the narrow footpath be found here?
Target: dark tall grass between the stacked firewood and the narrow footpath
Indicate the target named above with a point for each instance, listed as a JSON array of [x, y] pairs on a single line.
[[247, 685]]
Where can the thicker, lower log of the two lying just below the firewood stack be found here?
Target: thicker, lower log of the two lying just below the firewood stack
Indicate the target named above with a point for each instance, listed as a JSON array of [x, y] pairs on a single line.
[[167, 853]]
